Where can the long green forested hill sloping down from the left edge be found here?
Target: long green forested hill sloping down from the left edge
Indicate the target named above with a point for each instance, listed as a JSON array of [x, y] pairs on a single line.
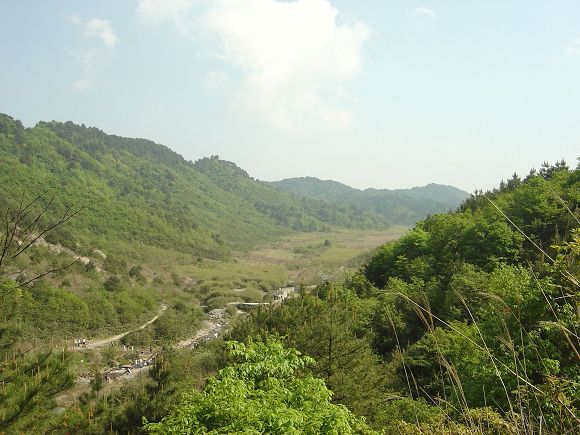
[[141, 191]]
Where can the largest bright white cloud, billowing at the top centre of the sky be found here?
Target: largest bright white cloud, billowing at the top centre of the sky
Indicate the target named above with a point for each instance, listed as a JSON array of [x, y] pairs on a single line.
[[294, 58]]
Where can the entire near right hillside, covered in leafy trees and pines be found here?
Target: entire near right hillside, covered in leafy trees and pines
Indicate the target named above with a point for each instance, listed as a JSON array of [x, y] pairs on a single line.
[[468, 324]]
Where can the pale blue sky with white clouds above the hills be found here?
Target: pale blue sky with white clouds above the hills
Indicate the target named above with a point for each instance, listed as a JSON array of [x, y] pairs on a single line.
[[373, 93]]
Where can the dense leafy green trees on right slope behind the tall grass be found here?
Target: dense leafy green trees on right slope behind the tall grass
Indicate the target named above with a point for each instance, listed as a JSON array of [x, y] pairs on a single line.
[[479, 309]]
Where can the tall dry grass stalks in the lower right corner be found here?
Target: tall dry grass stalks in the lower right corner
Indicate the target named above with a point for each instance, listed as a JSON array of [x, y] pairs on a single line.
[[521, 417]]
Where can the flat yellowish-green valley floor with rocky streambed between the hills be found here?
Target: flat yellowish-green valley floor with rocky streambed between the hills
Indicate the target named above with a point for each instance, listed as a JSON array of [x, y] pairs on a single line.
[[250, 277]]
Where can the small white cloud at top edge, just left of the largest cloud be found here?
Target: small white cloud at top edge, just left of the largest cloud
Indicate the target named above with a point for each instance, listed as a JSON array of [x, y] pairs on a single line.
[[176, 11]]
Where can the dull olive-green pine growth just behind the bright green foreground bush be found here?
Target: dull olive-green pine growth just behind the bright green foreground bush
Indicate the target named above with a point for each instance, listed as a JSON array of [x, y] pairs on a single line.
[[327, 328]]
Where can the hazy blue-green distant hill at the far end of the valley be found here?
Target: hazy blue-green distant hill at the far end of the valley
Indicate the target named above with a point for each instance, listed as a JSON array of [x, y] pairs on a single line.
[[404, 206]]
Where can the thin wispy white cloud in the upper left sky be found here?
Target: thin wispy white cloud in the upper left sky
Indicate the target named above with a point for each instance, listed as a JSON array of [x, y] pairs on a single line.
[[100, 40]]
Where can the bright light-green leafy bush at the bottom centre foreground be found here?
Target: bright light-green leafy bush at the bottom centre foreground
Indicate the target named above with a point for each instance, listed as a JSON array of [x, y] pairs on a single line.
[[263, 389]]
